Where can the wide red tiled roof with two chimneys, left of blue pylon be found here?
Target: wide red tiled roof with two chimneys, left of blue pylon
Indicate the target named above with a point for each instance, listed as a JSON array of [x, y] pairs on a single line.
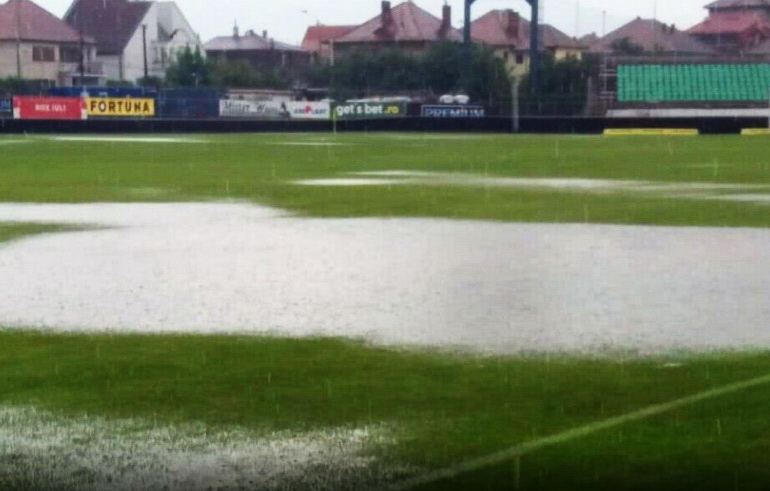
[[408, 23]]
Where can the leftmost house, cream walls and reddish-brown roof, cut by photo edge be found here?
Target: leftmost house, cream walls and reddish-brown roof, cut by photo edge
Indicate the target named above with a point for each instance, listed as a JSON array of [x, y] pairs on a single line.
[[37, 45]]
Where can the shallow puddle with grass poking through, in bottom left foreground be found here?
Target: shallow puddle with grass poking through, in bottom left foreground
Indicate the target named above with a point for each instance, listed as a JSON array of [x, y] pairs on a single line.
[[47, 451]]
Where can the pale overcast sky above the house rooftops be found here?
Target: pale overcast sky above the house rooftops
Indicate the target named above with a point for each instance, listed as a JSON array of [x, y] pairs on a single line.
[[287, 20]]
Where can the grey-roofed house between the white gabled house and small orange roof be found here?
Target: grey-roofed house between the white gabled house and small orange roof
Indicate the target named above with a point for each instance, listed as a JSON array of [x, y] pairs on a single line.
[[261, 52]]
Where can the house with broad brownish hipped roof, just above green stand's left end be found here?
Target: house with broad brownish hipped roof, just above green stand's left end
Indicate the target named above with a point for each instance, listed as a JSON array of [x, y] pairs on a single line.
[[649, 36]]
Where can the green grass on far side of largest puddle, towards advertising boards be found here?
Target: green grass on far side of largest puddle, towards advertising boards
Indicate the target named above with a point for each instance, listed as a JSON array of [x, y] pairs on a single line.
[[258, 168]]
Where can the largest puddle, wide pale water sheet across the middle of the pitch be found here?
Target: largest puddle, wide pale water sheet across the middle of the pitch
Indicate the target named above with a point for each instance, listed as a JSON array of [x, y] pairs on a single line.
[[493, 287]]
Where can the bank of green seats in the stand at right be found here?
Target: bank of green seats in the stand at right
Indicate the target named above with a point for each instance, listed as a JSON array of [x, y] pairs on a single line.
[[693, 83]]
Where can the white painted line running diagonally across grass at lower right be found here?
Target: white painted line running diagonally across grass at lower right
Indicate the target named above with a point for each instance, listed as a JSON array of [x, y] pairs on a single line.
[[575, 433]]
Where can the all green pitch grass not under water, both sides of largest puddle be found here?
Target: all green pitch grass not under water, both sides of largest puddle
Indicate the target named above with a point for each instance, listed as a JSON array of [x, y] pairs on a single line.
[[444, 408]]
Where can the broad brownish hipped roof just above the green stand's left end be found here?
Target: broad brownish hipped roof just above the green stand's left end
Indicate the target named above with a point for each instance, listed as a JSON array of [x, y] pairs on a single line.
[[653, 36]]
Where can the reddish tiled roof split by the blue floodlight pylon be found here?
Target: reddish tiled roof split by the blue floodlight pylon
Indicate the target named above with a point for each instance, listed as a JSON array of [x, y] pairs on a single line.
[[507, 28]]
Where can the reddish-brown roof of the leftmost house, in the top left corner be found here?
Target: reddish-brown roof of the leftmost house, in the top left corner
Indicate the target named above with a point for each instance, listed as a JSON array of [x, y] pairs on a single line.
[[30, 22]]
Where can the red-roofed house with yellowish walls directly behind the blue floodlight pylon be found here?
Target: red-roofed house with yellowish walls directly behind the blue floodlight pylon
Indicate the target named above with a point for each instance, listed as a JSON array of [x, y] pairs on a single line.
[[508, 34]]
